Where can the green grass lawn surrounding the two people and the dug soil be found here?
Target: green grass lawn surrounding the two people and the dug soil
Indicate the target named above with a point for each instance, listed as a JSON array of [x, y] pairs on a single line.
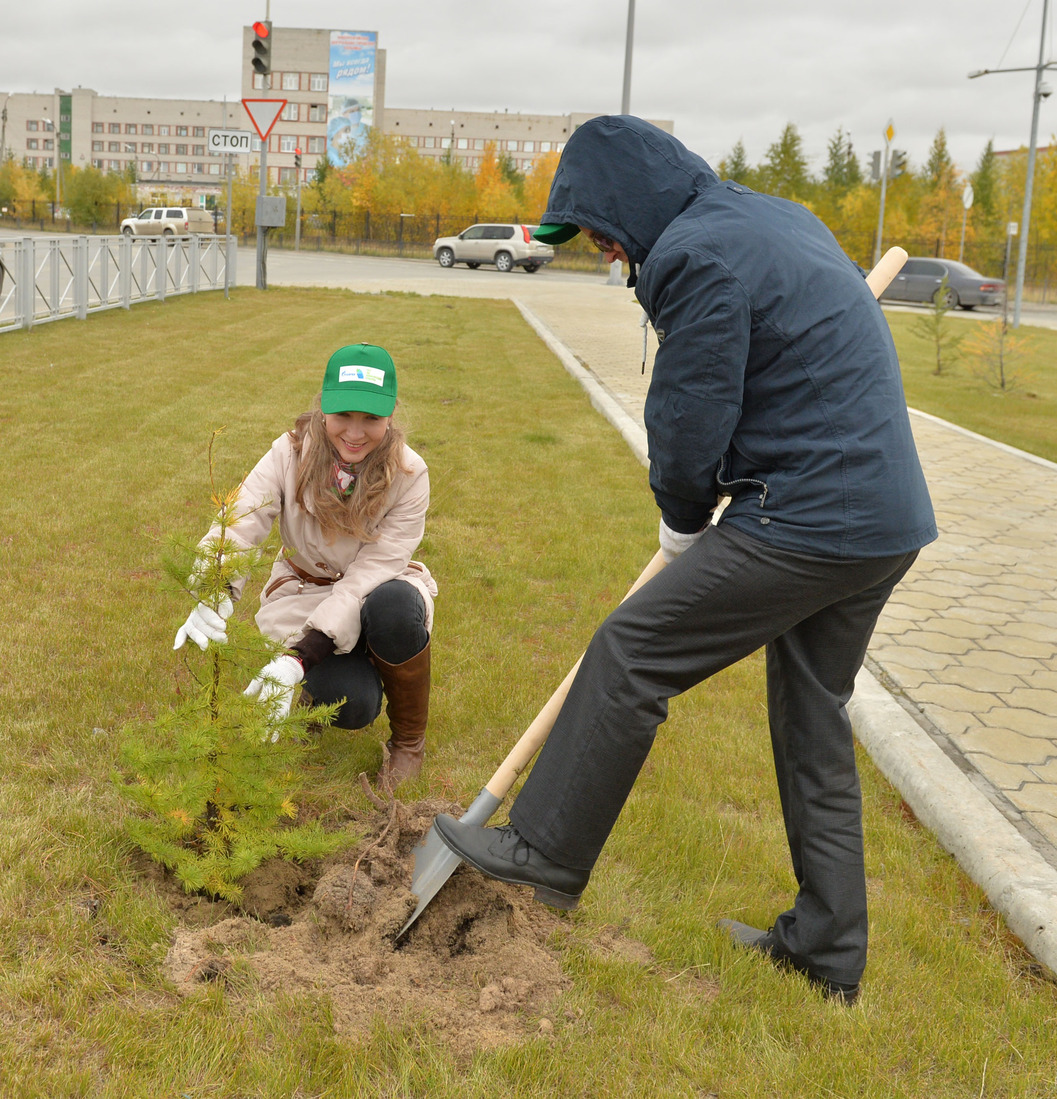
[[541, 519]]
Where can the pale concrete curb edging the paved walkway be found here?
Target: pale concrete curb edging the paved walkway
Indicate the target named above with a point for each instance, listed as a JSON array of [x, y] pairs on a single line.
[[1018, 882]]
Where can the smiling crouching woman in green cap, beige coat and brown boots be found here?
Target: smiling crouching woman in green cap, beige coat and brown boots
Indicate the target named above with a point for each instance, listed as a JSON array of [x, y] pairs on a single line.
[[344, 595]]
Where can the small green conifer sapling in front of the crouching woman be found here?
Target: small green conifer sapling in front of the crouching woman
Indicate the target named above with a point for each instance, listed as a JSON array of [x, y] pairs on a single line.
[[216, 779]]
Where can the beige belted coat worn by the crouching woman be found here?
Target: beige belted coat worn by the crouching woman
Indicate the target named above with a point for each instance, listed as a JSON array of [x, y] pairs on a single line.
[[294, 608]]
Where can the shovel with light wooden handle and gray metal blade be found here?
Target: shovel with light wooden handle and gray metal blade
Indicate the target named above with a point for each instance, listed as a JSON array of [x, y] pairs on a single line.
[[435, 863]]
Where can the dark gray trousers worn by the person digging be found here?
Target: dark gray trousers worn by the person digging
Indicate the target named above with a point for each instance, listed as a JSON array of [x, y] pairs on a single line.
[[721, 601]]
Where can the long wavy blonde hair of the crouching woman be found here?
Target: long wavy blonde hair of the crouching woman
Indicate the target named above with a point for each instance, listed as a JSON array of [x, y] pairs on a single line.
[[360, 513]]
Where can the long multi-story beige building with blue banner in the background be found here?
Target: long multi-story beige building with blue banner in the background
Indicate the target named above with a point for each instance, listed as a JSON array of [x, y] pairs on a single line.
[[335, 87]]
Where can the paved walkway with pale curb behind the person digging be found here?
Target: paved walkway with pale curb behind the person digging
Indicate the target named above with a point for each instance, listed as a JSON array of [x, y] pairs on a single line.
[[959, 703]]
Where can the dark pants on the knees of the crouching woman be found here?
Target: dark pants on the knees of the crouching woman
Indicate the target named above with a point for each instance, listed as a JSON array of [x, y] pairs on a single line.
[[393, 625]]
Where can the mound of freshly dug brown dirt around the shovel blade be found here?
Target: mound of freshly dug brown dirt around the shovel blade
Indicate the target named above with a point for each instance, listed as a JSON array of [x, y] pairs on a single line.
[[476, 968]]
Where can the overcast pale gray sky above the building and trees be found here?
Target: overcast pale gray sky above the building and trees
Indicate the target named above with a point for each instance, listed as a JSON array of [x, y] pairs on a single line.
[[722, 72]]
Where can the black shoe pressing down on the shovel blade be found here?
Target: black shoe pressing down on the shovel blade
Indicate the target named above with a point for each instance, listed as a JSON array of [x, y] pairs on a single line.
[[503, 854]]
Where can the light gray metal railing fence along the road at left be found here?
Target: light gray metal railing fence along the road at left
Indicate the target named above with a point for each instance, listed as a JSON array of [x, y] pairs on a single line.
[[51, 279]]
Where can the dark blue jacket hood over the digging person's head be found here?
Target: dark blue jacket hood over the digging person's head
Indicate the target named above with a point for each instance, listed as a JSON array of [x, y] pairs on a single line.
[[627, 180]]
